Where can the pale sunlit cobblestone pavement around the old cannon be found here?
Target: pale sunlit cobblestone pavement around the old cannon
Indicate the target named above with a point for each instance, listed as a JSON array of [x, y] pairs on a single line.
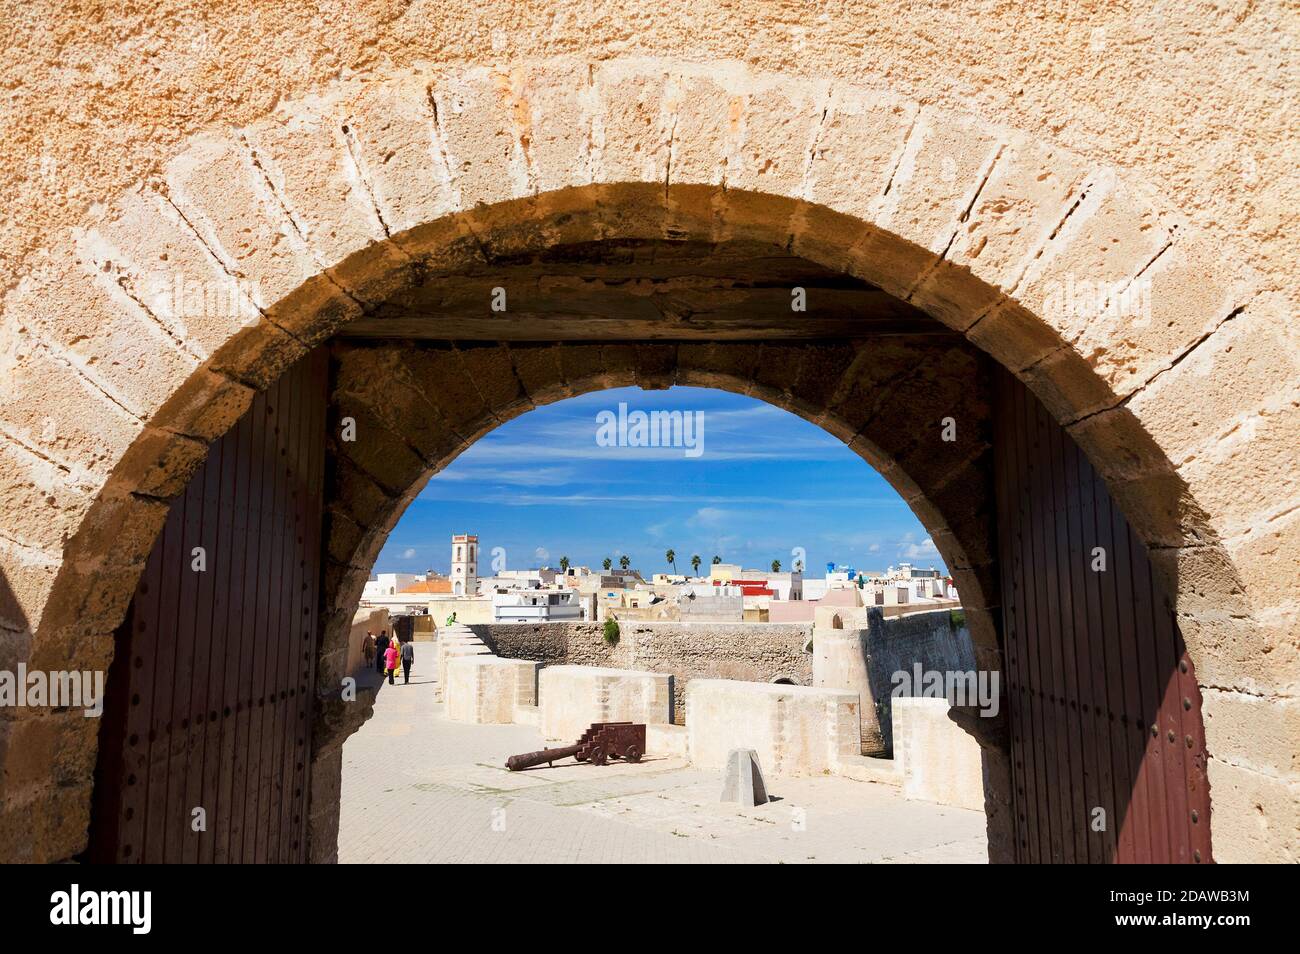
[[418, 788]]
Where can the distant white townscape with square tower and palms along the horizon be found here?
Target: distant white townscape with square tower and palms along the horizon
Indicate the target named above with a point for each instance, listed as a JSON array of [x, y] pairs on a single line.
[[716, 592]]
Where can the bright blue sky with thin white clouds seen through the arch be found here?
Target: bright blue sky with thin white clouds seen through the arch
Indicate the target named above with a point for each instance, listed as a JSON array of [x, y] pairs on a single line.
[[765, 484]]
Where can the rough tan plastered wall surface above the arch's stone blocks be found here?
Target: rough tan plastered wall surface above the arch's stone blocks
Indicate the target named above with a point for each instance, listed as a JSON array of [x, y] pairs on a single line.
[[1068, 75]]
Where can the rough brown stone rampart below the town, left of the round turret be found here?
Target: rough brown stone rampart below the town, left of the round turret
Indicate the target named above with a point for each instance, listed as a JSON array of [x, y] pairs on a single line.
[[751, 652]]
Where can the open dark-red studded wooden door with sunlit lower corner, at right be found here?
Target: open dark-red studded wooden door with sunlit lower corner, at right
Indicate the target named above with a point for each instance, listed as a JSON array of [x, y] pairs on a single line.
[[1103, 701]]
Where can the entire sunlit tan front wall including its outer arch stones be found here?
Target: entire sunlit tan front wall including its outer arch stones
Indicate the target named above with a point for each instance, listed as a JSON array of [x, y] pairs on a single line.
[[976, 161]]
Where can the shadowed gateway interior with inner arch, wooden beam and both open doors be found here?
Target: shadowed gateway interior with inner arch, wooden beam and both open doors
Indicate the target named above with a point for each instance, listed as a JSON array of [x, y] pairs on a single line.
[[402, 393]]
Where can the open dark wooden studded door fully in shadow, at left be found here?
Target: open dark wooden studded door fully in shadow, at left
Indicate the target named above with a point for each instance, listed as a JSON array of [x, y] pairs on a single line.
[[210, 693]]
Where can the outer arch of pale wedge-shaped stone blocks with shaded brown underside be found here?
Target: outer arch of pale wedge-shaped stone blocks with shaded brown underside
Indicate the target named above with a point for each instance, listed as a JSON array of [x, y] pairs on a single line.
[[315, 218]]
